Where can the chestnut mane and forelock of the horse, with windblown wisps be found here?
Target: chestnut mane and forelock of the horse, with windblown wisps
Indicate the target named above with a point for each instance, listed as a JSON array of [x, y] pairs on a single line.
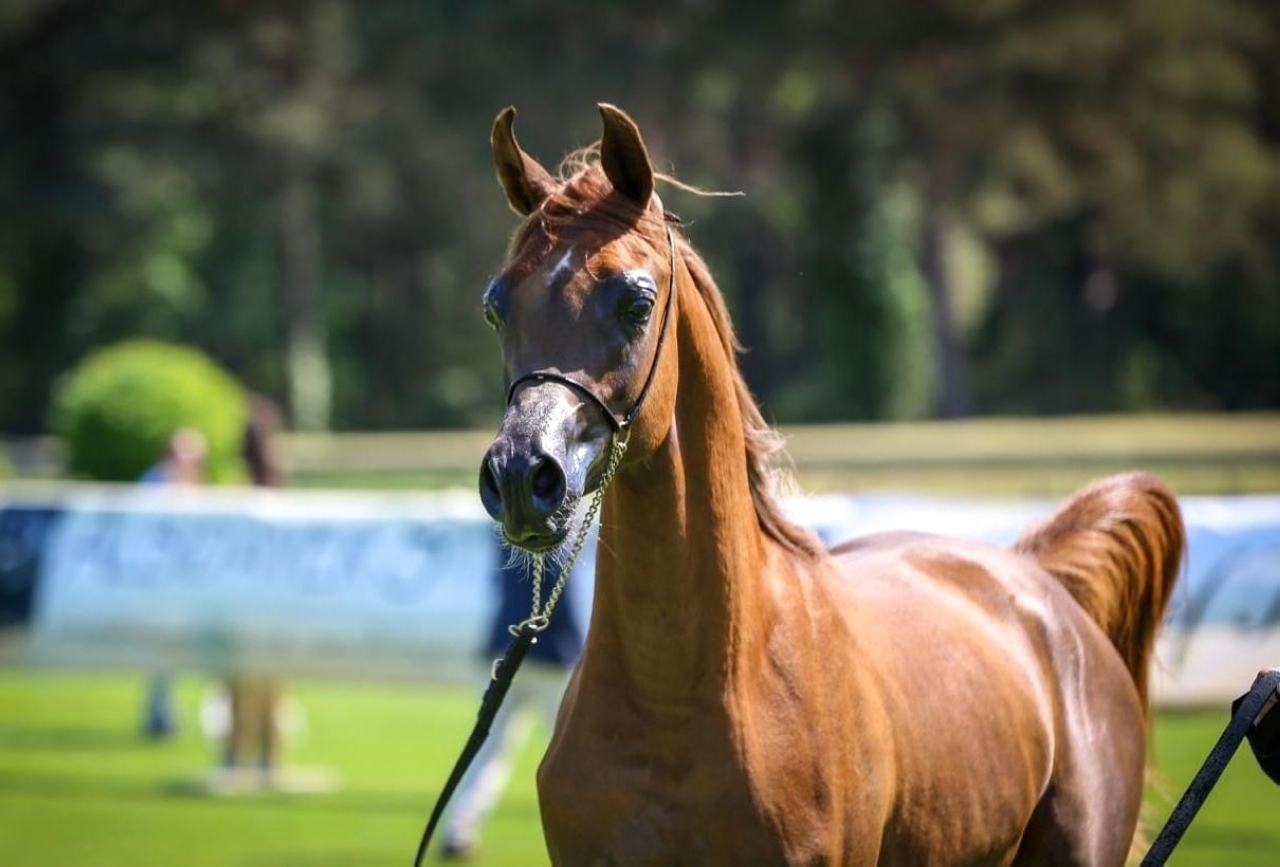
[[588, 209]]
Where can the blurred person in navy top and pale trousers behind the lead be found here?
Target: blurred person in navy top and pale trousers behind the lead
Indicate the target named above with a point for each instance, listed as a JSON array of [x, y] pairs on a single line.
[[536, 693]]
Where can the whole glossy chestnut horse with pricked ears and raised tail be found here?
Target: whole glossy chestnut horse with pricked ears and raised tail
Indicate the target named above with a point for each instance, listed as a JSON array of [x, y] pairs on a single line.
[[746, 696]]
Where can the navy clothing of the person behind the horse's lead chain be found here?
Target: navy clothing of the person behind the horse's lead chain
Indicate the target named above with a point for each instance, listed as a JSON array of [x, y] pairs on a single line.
[[561, 642]]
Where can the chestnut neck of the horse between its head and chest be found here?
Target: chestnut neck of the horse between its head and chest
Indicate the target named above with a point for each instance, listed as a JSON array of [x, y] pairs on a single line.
[[682, 555]]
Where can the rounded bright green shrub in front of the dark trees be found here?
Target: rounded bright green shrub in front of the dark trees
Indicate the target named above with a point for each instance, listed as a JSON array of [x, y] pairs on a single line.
[[117, 410]]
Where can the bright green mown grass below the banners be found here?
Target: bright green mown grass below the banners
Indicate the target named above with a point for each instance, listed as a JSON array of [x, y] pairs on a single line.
[[80, 787]]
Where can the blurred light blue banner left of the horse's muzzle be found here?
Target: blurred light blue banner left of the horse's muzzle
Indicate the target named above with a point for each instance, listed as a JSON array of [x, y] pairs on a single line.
[[246, 582]]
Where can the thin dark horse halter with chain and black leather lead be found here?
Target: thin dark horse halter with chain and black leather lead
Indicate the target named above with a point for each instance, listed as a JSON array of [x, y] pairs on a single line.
[[525, 633]]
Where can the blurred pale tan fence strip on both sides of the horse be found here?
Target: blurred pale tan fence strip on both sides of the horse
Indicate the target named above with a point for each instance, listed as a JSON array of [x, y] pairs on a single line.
[[1197, 454]]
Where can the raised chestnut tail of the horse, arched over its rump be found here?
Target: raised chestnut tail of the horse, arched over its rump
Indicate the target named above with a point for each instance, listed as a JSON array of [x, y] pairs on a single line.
[[1118, 546]]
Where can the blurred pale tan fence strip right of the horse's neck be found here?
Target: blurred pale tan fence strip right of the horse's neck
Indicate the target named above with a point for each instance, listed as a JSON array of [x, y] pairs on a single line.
[[1197, 454]]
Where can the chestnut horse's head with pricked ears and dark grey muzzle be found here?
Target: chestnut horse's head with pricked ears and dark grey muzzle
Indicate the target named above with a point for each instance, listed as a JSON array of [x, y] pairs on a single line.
[[583, 309]]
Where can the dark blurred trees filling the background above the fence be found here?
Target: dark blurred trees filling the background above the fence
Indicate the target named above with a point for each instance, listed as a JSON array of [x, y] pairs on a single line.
[[949, 207]]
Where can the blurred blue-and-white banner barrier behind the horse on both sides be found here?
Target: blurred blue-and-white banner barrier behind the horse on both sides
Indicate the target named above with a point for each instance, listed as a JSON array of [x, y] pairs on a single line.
[[395, 586]]
